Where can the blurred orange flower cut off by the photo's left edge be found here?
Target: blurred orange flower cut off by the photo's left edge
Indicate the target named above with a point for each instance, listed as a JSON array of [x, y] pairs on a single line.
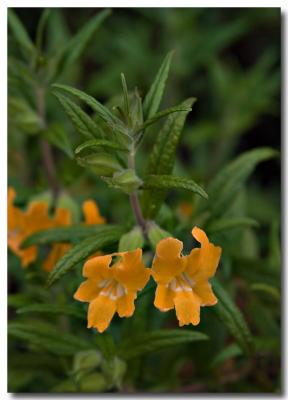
[[23, 224]]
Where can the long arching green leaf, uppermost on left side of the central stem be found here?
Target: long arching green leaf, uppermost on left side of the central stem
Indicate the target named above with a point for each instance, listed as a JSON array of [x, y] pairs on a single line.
[[103, 112]]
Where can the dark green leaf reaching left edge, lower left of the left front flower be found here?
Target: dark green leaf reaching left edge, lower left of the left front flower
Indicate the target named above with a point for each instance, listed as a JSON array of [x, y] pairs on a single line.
[[48, 337]]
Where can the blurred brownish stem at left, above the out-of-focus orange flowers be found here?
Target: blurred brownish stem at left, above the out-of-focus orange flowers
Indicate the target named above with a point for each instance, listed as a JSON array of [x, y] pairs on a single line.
[[46, 150]]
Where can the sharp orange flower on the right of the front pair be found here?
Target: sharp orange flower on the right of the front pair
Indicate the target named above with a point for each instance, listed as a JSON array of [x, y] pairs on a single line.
[[182, 281]]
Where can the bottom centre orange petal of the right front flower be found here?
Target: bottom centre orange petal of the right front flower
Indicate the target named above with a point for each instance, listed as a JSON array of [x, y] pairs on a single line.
[[187, 305]]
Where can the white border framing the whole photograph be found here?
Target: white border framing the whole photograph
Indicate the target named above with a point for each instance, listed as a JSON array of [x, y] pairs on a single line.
[[3, 158]]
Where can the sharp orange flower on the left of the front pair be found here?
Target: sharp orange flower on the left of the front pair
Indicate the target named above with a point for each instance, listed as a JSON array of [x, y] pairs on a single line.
[[112, 289]]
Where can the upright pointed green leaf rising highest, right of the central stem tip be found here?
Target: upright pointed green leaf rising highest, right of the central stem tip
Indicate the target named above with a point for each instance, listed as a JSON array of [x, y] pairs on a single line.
[[154, 96]]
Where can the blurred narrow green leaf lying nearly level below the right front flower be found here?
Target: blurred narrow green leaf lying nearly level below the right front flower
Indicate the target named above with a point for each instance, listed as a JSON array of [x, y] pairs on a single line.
[[156, 340]]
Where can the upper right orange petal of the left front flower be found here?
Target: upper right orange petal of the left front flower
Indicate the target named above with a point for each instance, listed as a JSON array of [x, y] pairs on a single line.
[[130, 271]]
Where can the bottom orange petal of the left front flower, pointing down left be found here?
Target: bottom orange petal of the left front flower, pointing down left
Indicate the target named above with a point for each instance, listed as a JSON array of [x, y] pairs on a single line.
[[100, 313]]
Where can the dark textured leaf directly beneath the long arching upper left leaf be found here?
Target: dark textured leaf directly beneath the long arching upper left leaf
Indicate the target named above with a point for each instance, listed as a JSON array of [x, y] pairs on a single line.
[[80, 120]]
